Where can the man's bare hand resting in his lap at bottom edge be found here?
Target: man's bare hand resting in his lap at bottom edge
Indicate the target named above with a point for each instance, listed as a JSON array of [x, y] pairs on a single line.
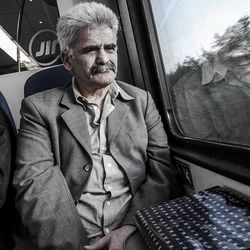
[[114, 240]]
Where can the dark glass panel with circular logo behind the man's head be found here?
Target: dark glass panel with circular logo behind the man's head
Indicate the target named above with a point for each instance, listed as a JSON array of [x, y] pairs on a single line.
[[32, 43]]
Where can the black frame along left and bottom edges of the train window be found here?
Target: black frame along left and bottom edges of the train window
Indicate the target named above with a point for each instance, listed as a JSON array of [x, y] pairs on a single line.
[[227, 159]]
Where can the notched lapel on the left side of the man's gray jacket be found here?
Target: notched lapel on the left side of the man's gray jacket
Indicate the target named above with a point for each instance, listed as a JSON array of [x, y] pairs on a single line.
[[75, 119]]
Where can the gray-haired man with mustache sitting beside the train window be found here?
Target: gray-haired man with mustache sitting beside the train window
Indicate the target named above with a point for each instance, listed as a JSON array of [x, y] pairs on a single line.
[[93, 152]]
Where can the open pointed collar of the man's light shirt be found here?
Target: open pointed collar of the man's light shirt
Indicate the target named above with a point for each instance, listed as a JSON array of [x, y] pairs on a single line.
[[114, 91]]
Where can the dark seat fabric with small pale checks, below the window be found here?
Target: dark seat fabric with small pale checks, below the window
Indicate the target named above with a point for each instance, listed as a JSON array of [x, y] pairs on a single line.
[[217, 218]]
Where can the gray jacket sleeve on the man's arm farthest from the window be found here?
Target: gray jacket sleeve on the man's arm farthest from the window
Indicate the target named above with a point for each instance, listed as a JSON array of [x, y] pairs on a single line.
[[43, 198]]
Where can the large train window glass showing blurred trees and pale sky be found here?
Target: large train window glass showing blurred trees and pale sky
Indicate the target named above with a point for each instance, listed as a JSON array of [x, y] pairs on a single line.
[[205, 47]]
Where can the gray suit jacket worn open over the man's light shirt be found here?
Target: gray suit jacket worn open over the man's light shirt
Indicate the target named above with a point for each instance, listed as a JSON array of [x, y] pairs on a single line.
[[54, 161]]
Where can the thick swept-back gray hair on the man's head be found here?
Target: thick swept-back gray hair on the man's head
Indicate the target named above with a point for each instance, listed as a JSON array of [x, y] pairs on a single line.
[[84, 15]]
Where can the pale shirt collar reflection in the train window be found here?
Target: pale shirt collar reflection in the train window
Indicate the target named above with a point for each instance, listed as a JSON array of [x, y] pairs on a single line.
[[213, 71]]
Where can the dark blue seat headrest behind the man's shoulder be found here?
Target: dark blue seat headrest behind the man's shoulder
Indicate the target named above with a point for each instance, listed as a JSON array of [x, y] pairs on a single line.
[[47, 79]]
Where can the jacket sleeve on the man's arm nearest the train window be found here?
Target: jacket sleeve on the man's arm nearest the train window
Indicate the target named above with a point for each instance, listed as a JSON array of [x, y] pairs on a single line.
[[162, 181]]
